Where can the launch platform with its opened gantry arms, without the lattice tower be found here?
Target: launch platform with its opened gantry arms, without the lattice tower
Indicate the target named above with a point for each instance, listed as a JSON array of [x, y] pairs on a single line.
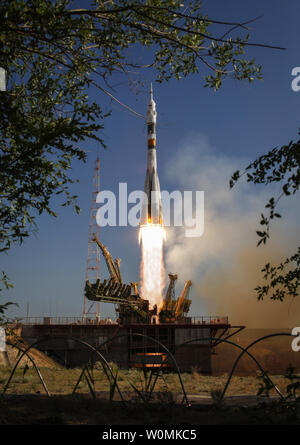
[[140, 336]]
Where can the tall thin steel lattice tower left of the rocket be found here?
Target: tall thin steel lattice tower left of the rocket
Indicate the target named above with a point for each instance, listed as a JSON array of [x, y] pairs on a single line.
[[93, 257]]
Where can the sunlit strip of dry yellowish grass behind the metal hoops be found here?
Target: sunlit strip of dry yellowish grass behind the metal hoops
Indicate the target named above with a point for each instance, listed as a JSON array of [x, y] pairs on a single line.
[[61, 381]]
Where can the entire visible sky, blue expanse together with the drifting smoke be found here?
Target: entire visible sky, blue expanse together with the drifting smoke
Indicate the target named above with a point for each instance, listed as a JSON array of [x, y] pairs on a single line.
[[203, 137]]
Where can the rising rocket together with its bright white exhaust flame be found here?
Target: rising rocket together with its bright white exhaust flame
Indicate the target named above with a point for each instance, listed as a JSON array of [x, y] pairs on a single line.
[[152, 233]]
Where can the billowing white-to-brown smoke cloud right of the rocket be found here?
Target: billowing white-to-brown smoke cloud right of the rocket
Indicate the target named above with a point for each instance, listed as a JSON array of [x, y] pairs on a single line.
[[224, 263]]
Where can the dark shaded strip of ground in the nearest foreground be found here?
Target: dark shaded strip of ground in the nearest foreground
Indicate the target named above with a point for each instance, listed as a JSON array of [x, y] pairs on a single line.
[[82, 410]]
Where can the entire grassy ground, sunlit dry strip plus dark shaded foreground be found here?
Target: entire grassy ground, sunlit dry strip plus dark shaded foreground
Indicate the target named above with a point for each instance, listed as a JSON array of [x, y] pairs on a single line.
[[25, 401]]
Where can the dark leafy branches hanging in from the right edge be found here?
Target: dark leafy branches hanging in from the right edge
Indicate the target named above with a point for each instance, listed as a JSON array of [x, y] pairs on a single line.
[[278, 165]]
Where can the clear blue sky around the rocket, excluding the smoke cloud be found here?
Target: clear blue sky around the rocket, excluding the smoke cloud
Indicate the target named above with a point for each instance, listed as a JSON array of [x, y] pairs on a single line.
[[240, 121]]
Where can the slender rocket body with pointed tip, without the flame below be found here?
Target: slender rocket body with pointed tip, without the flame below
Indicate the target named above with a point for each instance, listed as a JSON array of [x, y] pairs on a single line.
[[151, 206]]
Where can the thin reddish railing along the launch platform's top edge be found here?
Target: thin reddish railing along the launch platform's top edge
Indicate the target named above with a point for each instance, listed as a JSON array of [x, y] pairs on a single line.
[[200, 320]]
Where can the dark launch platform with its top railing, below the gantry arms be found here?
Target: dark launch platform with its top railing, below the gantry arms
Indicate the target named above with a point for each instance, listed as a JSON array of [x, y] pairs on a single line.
[[192, 341]]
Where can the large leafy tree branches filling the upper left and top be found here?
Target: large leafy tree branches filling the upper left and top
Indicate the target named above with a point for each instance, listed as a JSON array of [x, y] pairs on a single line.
[[54, 54]]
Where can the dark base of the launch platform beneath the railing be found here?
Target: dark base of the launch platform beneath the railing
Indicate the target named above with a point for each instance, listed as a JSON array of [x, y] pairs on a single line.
[[59, 342]]
